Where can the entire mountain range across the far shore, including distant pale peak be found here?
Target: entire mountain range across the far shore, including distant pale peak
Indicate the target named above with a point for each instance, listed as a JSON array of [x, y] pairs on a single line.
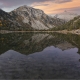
[[27, 18]]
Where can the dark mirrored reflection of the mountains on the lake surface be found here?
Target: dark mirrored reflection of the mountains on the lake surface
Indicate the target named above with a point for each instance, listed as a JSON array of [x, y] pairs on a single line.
[[27, 43]]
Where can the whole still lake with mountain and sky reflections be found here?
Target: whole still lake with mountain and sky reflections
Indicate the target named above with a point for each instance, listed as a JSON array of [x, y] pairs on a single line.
[[39, 56]]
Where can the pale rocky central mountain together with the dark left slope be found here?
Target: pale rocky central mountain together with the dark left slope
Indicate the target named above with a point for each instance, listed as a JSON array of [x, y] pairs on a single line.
[[27, 18]]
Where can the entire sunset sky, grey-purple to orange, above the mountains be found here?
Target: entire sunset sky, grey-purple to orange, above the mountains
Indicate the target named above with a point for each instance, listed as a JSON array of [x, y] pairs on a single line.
[[48, 6]]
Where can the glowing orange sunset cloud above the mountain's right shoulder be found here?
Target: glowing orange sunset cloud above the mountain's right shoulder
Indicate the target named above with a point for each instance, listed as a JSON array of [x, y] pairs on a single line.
[[50, 7]]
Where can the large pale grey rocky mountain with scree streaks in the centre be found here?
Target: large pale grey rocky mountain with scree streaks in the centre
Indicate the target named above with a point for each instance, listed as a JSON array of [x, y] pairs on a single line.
[[34, 18]]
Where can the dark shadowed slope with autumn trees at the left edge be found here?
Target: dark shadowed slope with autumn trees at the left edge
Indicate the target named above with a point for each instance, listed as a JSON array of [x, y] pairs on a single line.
[[7, 21]]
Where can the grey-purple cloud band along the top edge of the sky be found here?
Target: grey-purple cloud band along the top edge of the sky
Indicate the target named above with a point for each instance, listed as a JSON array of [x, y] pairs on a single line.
[[12, 3]]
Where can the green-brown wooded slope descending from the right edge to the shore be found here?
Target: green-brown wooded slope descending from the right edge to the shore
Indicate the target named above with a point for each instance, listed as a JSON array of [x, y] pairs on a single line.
[[73, 24]]
